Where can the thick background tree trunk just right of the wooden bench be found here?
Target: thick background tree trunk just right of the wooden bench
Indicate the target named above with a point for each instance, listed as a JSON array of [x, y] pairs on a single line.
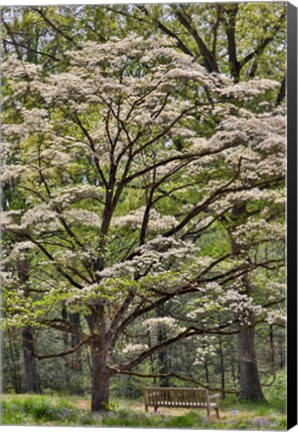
[[250, 387]]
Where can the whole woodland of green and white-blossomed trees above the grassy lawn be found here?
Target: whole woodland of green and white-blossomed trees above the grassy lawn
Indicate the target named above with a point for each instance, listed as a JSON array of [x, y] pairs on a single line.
[[116, 225]]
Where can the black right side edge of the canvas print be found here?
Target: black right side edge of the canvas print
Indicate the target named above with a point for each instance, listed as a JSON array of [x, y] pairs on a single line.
[[292, 217]]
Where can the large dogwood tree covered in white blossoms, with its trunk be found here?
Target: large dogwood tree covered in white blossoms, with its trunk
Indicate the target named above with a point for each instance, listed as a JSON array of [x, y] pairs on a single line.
[[122, 164]]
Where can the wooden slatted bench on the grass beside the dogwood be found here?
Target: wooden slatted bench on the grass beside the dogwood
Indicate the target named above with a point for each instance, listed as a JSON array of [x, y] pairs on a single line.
[[180, 398]]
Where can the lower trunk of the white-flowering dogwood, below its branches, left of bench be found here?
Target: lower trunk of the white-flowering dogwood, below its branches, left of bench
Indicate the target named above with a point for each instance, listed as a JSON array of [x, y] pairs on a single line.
[[100, 387]]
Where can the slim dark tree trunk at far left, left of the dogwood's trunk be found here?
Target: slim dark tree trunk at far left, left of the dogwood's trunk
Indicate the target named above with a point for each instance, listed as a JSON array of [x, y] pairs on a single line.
[[32, 383]]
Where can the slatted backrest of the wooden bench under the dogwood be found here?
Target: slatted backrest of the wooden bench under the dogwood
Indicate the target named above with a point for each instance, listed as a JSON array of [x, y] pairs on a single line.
[[170, 396]]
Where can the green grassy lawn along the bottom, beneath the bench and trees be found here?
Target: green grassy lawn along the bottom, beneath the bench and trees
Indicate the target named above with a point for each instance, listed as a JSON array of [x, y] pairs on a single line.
[[74, 411]]
